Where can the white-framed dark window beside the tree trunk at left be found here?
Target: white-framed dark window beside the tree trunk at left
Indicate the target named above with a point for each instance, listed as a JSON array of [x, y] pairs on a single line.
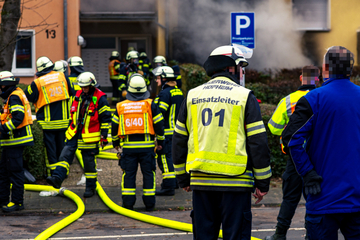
[[24, 54]]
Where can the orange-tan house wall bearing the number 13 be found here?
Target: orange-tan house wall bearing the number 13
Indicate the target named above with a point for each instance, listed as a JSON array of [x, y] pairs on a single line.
[[51, 17]]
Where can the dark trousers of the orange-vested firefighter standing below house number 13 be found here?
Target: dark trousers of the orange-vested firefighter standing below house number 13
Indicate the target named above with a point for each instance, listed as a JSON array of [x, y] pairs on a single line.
[[54, 143]]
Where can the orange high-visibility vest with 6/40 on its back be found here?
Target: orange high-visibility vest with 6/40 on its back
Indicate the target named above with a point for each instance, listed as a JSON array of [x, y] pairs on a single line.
[[135, 117]]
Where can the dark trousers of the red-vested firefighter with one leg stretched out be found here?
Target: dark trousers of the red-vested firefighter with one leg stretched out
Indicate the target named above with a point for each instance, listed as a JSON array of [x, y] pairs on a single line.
[[88, 154]]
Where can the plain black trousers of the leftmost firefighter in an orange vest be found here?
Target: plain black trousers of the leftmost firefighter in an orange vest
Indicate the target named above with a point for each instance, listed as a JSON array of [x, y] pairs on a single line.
[[12, 171]]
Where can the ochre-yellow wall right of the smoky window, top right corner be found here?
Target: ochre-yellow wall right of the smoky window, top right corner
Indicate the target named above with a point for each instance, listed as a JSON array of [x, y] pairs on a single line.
[[344, 23]]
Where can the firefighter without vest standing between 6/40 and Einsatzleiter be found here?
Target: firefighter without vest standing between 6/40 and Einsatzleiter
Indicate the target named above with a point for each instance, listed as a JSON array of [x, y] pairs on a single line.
[[169, 101]]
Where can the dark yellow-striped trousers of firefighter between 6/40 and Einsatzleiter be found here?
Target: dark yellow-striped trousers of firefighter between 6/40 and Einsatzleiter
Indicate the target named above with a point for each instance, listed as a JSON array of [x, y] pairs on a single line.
[[166, 165]]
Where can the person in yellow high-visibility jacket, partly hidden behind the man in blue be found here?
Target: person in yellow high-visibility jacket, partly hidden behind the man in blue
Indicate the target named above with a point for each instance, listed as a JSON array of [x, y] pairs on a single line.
[[292, 181]]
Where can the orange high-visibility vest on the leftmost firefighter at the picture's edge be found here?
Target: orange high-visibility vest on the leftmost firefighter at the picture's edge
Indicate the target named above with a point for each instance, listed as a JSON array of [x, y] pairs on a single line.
[[6, 115]]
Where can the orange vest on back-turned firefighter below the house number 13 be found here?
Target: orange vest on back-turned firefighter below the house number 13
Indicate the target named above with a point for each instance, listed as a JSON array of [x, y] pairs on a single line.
[[52, 87]]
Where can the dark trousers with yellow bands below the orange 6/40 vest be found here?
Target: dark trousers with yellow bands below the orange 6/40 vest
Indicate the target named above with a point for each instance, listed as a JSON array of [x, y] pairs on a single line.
[[129, 164]]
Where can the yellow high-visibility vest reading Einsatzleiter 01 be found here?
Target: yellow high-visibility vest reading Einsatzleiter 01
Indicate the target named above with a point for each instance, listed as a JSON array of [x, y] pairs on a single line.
[[217, 137]]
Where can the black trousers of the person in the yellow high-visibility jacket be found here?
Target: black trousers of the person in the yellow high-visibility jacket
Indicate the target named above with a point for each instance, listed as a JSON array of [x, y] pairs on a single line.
[[292, 190]]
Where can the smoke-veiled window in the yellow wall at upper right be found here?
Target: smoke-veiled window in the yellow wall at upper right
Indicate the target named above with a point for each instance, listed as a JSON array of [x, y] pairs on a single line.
[[310, 15]]
